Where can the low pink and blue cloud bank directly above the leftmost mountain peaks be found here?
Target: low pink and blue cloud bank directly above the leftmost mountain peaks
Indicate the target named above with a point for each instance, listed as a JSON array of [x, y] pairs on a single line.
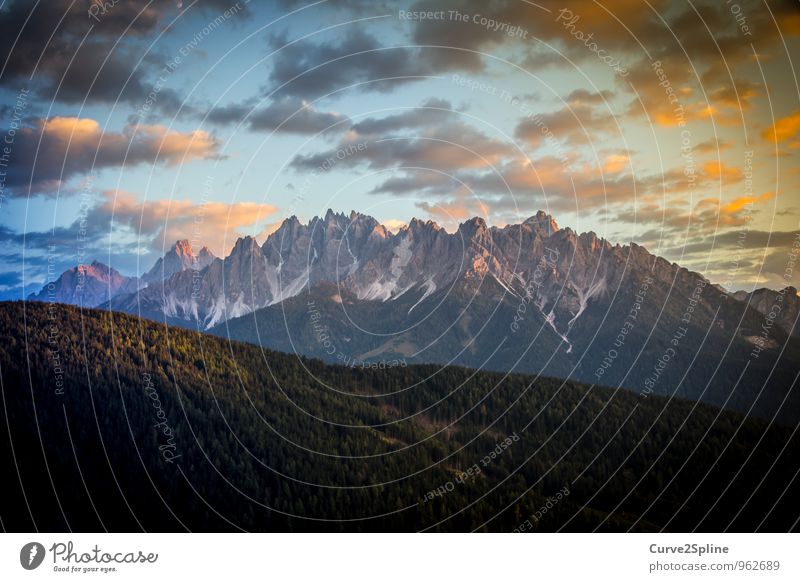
[[132, 231]]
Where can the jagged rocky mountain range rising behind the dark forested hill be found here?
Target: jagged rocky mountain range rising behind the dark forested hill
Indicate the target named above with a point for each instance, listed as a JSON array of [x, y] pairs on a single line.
[[530, 297]]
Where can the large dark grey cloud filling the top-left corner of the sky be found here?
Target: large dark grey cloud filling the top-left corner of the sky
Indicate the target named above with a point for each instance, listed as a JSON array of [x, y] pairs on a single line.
[[72, 56]]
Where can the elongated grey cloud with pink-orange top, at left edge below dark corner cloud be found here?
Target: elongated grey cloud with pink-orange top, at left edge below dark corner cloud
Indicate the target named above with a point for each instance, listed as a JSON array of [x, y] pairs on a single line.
[[47, 152]]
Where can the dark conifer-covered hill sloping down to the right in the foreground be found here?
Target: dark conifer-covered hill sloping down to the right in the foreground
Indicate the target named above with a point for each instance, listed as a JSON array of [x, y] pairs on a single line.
[[120, 424]]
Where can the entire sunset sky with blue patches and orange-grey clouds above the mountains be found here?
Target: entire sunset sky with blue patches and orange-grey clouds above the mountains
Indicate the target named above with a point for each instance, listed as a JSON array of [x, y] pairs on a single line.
[[128, 125]]
